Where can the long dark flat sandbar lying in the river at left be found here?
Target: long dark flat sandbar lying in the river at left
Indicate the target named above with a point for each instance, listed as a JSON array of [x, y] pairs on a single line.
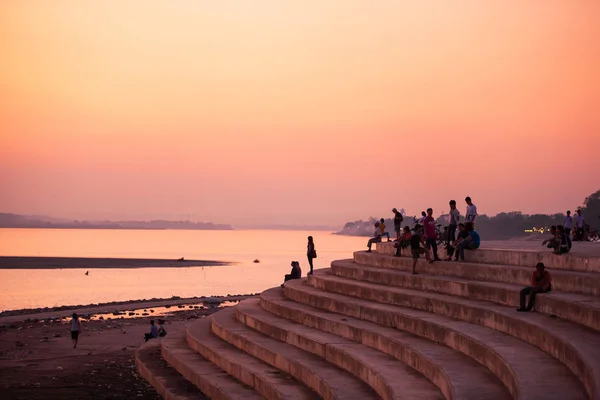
[[91, 263]]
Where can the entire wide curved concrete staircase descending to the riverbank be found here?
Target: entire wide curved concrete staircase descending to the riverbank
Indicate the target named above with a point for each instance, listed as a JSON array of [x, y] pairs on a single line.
[[366, 328]]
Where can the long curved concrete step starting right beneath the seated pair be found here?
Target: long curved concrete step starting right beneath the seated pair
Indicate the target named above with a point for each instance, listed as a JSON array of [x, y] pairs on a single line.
[[523, 368]]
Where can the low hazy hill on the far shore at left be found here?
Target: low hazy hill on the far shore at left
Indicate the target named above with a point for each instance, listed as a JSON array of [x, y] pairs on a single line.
[[30, 221]]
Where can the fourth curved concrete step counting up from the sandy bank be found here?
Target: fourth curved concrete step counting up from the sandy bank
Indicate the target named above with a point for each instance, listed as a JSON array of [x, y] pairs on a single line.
[[327, 380]]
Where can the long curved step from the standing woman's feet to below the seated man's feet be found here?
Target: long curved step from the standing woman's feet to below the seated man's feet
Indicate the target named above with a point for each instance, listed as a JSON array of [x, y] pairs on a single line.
[[576, 346]]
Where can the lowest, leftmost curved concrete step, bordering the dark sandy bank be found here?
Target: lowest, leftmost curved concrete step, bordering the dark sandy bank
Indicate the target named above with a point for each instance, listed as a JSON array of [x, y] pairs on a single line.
[[167, 382]]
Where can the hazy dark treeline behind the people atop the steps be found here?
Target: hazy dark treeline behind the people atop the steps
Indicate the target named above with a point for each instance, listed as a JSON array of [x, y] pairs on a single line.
[[505, 225]]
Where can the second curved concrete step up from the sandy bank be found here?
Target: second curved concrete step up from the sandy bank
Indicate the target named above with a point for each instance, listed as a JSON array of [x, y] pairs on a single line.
[[210, 379]]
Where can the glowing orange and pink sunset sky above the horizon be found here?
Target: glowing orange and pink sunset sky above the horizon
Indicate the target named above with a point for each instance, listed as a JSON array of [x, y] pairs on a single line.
[[296, 112]]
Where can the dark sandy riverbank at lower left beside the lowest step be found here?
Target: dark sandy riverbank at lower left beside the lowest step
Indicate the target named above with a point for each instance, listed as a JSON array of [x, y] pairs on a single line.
[[38, 361]]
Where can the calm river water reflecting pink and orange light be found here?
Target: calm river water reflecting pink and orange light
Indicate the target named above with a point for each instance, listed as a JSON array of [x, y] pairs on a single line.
[[55, 287]]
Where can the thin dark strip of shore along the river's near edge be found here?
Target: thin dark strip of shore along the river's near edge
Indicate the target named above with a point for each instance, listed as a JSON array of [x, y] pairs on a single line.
[[11, 316]]
